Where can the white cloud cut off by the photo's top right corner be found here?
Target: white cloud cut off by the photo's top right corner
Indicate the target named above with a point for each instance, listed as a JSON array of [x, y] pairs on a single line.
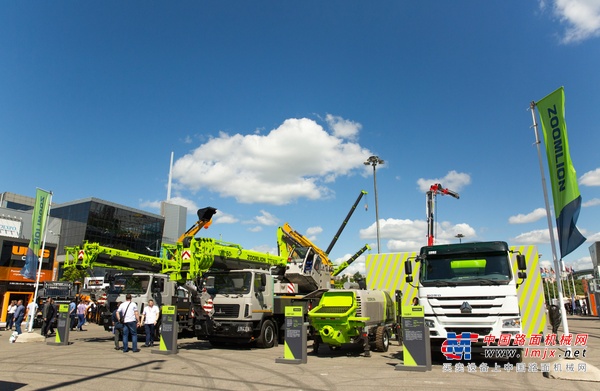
[[580, 17]]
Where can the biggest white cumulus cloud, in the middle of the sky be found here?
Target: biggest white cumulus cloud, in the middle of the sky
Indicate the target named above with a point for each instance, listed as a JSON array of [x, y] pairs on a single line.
[[293, 161]]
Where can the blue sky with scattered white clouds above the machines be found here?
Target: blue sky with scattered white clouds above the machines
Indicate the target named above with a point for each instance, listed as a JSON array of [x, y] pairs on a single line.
[[271, 108]]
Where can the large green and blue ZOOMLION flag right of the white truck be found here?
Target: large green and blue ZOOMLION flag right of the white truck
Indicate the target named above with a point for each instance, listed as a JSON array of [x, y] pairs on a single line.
[[567, 200]]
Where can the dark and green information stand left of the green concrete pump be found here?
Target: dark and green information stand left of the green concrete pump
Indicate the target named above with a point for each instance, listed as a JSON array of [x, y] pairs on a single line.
[[294, 350]]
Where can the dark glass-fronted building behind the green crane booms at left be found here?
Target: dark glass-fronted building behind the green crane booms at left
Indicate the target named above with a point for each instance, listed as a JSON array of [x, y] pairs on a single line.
[[109, 224]]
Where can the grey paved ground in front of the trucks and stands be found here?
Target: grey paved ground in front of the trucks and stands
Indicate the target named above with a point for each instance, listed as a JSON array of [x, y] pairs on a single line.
[[90, 362]]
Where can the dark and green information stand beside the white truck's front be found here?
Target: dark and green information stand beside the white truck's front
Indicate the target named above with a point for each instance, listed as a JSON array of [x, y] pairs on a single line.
[[416, 348]]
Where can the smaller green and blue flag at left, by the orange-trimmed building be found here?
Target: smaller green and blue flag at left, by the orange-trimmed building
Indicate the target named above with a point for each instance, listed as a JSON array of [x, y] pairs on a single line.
[[38, 220]]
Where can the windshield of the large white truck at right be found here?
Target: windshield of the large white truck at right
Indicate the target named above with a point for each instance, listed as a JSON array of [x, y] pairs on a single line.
[[487, 269]]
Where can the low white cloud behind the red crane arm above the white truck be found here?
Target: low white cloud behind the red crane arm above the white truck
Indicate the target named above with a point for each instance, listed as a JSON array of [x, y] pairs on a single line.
[[411, 235]]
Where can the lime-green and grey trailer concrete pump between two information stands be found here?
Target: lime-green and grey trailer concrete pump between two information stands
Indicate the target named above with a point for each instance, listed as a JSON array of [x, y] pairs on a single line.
[[353, 316]]
